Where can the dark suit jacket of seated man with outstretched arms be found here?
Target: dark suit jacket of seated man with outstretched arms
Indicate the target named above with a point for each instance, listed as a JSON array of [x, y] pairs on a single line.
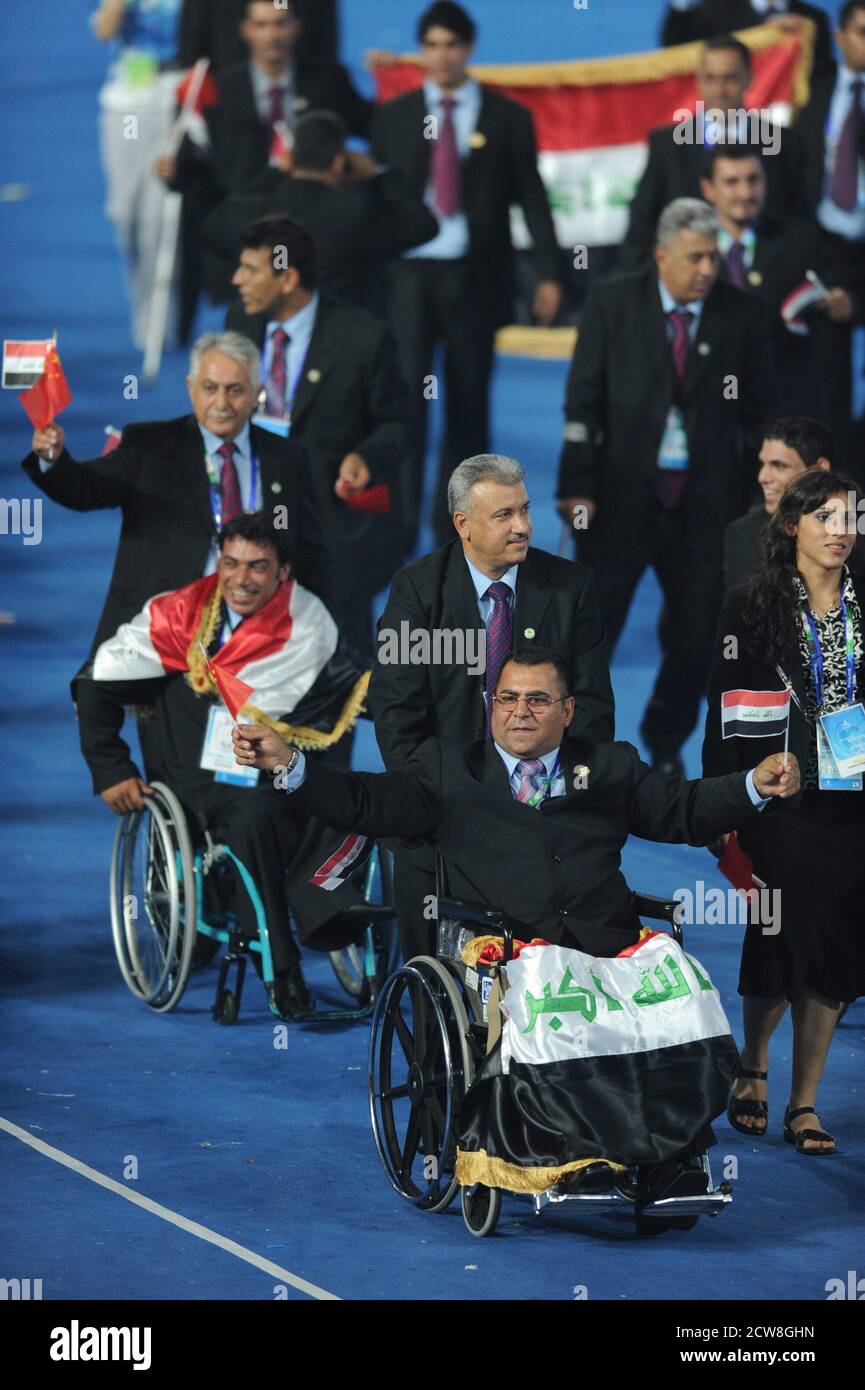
[[556, 869]]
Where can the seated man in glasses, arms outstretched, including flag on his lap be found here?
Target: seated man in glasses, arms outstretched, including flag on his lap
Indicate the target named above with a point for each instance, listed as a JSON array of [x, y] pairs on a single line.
[[533, 824]]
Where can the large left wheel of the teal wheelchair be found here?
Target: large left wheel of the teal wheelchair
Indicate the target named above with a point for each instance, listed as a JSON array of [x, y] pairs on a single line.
[[154, 908]]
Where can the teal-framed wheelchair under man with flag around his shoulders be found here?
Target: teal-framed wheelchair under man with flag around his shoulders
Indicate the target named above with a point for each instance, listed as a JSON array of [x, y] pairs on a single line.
[[168, 892]]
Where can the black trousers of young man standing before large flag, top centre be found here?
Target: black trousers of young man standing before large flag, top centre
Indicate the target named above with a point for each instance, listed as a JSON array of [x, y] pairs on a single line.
[[430, 304]]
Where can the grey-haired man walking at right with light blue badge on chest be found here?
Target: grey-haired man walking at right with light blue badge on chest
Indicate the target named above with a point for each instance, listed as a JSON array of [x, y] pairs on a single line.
[[670, 379]]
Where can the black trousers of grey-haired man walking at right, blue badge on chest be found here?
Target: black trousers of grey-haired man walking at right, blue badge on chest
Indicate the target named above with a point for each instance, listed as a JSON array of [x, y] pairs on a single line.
[[689, 571]]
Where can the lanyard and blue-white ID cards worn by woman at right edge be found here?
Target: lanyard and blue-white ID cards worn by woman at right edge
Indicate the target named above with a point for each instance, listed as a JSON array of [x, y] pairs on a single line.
[[841, 736]]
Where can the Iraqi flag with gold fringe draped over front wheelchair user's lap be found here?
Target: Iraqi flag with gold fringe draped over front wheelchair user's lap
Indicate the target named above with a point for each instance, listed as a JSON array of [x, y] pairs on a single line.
[[625, 1060]]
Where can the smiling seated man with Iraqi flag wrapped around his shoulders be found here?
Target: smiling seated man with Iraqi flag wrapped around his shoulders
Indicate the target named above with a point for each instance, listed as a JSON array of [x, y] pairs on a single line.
[[250, 622]]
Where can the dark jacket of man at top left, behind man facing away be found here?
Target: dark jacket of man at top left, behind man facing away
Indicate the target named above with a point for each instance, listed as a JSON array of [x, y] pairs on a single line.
[[240, 141]]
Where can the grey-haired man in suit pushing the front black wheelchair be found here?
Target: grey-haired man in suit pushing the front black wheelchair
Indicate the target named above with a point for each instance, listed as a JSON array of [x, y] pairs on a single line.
[[492, 582]]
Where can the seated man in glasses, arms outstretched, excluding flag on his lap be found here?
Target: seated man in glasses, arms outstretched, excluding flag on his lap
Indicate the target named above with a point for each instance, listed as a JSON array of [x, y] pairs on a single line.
[[533, 822]]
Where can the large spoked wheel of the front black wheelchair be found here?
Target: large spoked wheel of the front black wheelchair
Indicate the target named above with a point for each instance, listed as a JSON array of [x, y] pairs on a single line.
[[421, 1070]]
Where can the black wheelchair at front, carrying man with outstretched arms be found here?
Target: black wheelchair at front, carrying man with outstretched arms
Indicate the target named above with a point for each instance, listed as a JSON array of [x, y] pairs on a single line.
[[430, 1032]]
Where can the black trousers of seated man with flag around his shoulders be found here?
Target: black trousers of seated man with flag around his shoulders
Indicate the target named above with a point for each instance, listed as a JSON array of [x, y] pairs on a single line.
[[264, 839]]
